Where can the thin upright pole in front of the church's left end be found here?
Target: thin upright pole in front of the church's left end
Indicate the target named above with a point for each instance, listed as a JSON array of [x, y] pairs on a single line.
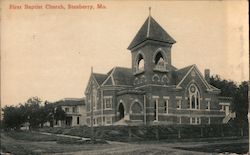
[[91, 103]]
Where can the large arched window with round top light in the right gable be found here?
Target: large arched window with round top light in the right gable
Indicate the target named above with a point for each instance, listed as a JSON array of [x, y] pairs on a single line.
[[193, 97]]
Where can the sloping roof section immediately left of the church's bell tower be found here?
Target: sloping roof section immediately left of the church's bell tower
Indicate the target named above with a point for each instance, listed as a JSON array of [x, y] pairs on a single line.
[[119, 76]]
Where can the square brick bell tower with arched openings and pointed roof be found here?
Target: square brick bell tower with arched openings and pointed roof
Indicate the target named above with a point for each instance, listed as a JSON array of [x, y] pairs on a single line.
[[151, 53]]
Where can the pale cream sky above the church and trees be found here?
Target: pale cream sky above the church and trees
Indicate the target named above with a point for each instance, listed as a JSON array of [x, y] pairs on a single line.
[[49, 52]]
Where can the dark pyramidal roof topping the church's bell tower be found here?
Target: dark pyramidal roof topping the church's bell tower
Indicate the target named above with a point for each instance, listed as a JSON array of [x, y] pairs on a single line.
[[151, 30]]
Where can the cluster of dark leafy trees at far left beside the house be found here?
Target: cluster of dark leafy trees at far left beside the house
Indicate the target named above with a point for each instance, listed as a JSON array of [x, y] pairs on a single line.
[[32, 112]]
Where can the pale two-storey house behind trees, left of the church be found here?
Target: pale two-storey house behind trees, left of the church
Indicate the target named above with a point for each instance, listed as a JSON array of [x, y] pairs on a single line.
[[75, 112]]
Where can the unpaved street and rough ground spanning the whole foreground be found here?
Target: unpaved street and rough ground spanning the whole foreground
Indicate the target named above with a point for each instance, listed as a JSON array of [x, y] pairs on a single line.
[[24, 143]]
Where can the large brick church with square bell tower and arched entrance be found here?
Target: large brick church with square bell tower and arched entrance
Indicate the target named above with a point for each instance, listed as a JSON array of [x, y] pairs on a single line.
[[153, 91]]
